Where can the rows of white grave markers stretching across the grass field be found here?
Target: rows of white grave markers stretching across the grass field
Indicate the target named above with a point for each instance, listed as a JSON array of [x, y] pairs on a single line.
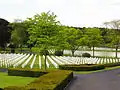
[[22, 60]]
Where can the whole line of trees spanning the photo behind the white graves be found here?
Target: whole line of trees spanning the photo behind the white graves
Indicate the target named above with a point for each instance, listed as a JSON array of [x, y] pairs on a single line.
[[46, 32]]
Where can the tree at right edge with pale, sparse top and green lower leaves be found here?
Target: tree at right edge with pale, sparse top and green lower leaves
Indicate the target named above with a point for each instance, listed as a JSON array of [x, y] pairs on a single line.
[[114, 35]]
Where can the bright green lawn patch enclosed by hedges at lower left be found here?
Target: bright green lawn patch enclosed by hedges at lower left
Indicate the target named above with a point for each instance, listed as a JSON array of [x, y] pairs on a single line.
[[6, 80]]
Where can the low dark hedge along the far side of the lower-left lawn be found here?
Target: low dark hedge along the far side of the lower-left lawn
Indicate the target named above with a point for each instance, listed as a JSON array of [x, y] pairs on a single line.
[[25, 72]]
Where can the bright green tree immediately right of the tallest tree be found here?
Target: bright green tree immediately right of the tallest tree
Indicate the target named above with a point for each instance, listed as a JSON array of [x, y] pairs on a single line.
[[73, 37]]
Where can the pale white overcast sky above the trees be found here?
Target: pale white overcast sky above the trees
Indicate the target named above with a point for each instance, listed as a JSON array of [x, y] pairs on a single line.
[[78, 13]]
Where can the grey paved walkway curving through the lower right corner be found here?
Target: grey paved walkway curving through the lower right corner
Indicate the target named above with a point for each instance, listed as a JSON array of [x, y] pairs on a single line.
[[106, 80]]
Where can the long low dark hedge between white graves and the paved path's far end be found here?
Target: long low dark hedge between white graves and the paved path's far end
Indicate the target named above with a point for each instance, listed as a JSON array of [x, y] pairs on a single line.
[[86, 67]]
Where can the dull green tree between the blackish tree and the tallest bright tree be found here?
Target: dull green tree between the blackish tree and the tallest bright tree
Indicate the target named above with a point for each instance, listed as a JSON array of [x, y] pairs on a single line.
[[19, 35]]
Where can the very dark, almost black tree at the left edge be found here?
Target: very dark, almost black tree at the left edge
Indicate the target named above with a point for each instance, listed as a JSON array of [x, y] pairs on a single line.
[[5, 33]]
